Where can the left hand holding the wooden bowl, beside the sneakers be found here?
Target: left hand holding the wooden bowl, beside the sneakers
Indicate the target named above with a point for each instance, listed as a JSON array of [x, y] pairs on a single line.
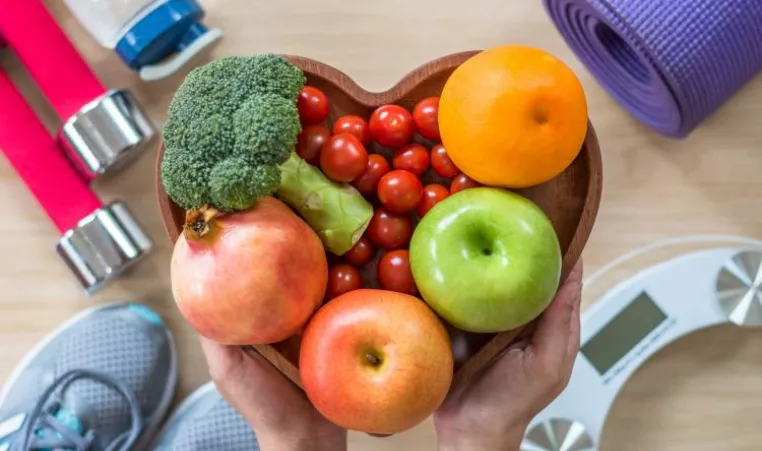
[[279, 413]]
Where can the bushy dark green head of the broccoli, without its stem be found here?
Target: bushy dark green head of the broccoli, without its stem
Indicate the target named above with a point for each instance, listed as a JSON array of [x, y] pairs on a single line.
[[234, 109]]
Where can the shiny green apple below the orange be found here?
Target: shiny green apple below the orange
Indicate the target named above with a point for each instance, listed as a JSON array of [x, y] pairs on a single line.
[[486, 260]]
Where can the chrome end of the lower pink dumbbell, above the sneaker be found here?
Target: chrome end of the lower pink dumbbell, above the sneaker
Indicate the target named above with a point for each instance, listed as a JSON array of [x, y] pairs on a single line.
[[103, 245]]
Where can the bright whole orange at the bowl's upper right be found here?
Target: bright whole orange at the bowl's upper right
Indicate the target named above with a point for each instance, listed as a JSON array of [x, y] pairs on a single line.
[[513, 116]]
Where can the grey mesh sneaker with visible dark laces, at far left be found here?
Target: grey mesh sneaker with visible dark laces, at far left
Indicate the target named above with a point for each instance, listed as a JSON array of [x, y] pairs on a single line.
[[103, 381]]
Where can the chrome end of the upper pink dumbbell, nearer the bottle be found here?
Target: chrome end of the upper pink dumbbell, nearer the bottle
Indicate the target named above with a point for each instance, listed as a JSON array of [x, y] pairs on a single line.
[[105, 134]]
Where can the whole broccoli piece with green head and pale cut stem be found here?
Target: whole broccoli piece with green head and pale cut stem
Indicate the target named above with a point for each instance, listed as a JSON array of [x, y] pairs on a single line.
[[230, 137]]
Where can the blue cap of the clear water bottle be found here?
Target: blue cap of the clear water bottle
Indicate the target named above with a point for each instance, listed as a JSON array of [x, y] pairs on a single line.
[[168, 29]]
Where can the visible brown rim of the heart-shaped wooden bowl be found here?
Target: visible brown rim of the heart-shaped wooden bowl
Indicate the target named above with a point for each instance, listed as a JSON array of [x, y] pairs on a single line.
[[316, 69]]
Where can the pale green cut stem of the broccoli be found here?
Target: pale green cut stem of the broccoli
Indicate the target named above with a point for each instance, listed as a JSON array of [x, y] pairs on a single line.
[[336, 211]]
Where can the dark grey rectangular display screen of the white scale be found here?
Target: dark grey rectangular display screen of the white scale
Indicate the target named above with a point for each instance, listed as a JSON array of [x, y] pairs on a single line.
[[623, 333]]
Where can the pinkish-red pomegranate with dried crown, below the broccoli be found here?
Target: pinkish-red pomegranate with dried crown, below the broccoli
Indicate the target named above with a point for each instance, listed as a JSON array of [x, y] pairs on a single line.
[[252, 277]]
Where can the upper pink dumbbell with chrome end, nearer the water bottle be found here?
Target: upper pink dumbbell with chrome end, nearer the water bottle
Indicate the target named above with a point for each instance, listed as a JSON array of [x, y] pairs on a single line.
[[101, 128]]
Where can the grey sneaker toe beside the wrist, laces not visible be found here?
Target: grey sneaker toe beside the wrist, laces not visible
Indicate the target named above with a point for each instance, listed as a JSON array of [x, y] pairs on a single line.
[[206, 422]]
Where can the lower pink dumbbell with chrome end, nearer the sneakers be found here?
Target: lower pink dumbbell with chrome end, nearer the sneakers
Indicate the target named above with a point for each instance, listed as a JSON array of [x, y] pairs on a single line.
[[98, 242]]
